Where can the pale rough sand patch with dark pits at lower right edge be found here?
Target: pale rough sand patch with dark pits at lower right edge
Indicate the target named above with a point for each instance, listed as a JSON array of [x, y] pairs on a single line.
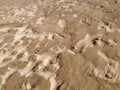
[[111, 70]]
